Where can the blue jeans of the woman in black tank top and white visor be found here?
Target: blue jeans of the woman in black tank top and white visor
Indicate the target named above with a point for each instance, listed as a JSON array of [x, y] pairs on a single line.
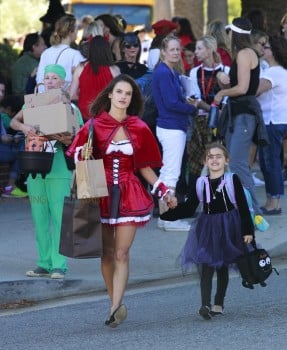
[[238, 144]]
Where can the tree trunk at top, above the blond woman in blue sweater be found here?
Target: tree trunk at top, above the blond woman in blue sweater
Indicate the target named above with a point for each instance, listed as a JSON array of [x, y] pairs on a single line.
[[192, 10]]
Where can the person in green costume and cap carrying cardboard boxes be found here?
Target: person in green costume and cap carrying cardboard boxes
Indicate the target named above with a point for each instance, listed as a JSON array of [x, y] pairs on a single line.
[[47, 195]]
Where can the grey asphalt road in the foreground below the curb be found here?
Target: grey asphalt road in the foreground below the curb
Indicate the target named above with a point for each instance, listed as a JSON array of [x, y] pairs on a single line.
[[161, 317]]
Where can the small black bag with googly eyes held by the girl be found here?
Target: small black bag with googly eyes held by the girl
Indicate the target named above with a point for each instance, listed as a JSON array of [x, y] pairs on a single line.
[[255, 266]]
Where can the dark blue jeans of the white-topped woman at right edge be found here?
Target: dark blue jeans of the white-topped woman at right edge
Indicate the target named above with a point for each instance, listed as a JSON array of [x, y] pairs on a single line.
[[270, 160]]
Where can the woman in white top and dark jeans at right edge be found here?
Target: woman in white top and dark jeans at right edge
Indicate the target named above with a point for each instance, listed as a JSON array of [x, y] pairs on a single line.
[[272, 95]]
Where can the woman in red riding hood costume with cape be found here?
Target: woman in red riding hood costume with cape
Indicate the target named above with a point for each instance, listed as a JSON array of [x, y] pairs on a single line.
[[127, 147]]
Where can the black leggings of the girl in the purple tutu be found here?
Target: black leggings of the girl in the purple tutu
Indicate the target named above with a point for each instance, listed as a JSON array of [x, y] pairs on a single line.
[[206, 284]]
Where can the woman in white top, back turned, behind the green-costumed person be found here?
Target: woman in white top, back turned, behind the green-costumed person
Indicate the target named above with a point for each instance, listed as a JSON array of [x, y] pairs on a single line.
[[60, 52]]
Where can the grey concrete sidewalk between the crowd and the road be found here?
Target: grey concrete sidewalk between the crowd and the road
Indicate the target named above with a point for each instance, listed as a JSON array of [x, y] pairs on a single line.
[[153, 255]]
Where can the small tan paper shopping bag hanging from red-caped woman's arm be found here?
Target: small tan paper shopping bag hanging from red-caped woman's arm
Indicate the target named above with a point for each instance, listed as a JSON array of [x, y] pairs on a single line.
[[90, 174]]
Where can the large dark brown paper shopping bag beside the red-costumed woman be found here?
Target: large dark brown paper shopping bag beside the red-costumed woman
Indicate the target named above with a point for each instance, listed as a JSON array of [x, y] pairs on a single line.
[[81, 230]]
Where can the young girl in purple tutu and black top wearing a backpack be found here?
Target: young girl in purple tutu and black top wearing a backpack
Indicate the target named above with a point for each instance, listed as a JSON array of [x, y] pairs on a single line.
[[216, 239]]
